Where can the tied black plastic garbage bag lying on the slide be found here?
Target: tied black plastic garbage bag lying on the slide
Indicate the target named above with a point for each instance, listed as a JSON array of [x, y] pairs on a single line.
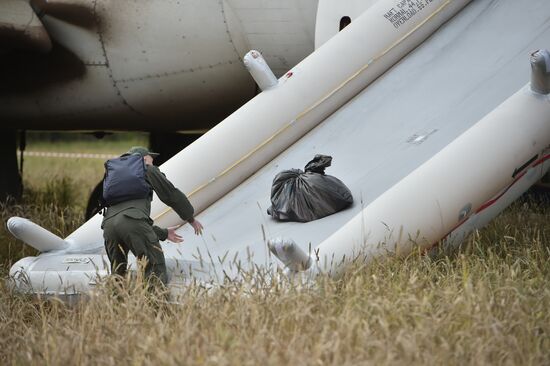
[[306, 196]]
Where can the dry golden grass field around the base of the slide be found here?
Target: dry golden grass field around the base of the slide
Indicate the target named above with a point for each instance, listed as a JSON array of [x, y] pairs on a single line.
[[486, 304]]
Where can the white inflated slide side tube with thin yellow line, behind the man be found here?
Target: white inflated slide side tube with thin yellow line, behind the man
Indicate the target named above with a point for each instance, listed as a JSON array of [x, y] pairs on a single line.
[[275, 119]]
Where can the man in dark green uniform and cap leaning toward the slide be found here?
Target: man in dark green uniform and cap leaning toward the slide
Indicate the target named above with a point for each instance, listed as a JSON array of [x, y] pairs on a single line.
[[127, 226]]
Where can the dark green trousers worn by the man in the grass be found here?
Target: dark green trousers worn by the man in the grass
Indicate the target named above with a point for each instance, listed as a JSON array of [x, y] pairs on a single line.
[[123, 233]]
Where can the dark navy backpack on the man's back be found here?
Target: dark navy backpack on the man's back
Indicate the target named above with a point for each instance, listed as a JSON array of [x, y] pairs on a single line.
[[125, 180]]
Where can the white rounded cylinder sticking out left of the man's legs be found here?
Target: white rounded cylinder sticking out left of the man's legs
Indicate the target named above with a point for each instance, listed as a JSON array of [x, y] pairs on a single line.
[[35, 235]]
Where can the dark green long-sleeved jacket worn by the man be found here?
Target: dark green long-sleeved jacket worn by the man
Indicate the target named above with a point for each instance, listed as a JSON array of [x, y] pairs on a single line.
[[141, 208]]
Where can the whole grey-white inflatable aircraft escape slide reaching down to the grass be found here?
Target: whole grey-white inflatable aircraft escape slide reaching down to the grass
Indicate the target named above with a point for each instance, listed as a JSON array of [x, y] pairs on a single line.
[[494, 155]]
